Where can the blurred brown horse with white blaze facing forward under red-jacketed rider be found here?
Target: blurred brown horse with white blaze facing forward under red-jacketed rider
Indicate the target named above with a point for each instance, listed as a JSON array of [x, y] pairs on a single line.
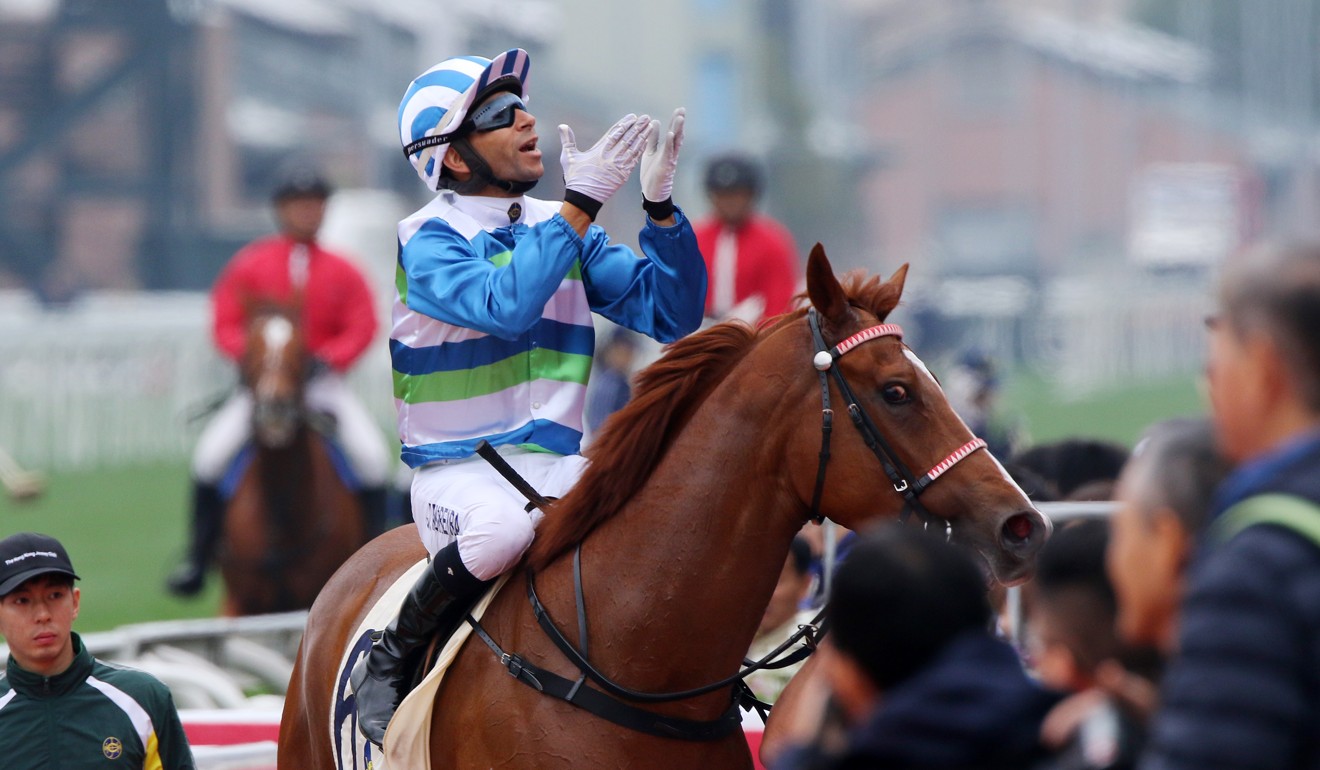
[[292, 521]]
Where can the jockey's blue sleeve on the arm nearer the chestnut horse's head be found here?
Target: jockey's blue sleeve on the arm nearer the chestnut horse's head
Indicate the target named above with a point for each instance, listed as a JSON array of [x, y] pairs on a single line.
[[662, 294]]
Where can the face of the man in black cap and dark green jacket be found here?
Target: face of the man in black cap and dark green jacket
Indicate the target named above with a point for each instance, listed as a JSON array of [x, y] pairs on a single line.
[[36, 620]]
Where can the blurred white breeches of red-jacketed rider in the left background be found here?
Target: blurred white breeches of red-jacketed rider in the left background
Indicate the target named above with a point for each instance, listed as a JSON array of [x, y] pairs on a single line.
[[356, 431]]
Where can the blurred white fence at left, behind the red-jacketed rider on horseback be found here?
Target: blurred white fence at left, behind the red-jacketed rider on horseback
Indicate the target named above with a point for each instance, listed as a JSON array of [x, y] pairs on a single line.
[[117, 380]]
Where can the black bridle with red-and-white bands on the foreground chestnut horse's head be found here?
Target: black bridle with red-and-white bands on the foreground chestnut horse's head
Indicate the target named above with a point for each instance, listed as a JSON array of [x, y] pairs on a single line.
[[904, 480]]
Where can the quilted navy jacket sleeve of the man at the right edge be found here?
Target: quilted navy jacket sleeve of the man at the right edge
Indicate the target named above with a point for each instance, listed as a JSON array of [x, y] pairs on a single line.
[[1240, 694]]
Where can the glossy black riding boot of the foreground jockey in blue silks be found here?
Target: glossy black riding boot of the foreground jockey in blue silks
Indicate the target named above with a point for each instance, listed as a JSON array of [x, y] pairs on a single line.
[[435, 607]]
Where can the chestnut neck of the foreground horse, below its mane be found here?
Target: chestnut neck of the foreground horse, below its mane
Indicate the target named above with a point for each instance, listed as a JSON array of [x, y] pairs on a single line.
[[700, 547]]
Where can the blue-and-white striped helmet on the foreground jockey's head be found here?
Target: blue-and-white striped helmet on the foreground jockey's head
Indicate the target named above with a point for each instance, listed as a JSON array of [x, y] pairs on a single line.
[[439, 100]]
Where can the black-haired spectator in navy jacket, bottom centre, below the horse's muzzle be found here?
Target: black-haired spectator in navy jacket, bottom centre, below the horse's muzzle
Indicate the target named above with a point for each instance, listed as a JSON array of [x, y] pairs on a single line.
[[910, 676]]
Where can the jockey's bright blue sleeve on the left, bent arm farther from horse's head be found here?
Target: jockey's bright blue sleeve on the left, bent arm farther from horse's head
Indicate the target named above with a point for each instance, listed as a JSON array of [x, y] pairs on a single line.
[[452, 282]]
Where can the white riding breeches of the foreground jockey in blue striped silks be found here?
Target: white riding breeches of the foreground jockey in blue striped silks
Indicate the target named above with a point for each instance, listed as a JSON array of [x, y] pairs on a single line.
[[471, 503]]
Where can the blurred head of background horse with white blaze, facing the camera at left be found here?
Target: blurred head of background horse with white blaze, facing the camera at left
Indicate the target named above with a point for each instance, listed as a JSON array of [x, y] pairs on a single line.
[[274, 368]]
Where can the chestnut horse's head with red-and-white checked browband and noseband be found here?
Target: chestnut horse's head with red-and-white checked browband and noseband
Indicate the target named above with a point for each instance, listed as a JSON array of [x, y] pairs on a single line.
[[892, 417]]
